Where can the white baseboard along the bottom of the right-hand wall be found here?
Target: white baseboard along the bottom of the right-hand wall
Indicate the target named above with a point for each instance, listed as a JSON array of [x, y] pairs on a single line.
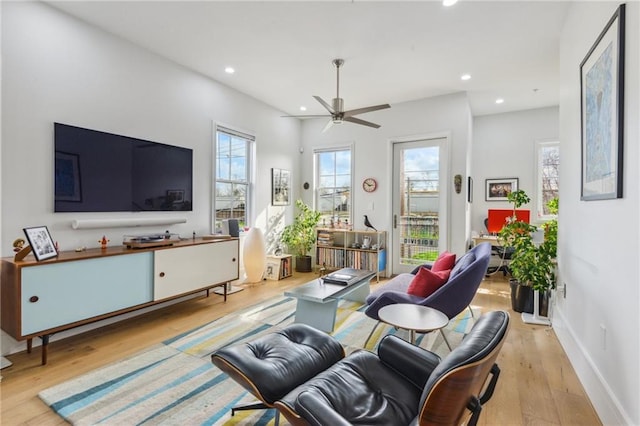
[[595, 385]]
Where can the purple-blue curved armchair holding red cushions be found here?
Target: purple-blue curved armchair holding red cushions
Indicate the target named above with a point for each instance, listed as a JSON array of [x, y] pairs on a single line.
[[451, 299]]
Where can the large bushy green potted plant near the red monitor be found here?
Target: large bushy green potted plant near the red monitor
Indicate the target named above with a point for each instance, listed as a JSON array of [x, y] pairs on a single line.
[[532, 265]]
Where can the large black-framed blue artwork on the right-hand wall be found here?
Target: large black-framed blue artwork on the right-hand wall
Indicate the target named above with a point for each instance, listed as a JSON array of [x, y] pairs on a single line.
[[601, 107]]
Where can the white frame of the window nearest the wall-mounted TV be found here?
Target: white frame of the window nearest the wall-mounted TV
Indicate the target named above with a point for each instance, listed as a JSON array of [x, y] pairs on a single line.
[[249, 150]]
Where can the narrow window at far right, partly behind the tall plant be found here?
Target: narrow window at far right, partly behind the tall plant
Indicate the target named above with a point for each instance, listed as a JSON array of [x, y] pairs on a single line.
[[548, 155]]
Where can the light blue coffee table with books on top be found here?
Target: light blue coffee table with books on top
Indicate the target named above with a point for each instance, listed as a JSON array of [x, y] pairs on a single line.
[[318, 301]]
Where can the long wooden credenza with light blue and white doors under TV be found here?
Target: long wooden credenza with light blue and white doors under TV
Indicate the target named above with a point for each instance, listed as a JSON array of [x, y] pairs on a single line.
[[77, 288]]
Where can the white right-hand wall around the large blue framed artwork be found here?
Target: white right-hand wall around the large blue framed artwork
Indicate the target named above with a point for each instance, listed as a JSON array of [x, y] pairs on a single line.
[[598, 240]]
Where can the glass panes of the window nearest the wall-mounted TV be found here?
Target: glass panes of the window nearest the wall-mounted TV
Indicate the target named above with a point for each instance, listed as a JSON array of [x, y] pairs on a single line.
[[232, 176]]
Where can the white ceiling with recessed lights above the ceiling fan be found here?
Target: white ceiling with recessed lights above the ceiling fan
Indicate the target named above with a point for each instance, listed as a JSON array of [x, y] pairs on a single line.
[[393, 51]]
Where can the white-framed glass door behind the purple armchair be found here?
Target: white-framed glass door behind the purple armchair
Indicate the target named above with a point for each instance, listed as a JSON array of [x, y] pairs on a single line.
[[419, 202]]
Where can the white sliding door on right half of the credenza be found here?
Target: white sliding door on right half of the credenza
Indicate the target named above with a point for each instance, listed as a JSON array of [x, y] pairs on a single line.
[[186, 269]]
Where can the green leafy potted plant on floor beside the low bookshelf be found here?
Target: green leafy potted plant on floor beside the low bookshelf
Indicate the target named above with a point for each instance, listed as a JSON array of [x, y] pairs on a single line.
[[300, 236]]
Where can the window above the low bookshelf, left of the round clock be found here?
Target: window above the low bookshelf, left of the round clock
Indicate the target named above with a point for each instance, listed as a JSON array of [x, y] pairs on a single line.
[[333, 185]]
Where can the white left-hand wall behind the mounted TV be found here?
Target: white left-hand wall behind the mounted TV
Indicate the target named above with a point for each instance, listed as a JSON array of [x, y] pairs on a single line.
[[56, 68]]
